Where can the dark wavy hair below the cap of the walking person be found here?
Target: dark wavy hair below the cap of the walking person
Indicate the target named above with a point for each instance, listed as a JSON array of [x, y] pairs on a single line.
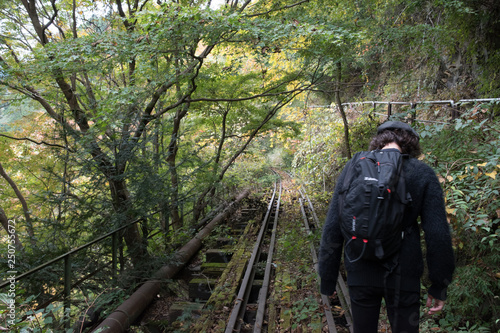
[[408, 142]]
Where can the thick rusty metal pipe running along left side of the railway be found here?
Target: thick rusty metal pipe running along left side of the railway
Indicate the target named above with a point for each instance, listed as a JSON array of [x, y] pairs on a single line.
[[131, 308]]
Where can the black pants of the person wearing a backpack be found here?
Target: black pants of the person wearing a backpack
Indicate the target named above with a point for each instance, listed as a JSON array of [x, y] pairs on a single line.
[[365, 306]]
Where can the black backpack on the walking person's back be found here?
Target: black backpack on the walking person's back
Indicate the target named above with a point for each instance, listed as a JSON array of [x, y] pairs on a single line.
[[372, 201]]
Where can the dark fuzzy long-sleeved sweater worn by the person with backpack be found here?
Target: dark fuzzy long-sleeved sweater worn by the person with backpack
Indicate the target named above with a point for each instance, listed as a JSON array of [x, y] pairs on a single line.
[[428, 204]]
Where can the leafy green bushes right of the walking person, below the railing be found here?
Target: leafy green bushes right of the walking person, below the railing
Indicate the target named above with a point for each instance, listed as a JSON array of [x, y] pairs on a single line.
[[466, 156]]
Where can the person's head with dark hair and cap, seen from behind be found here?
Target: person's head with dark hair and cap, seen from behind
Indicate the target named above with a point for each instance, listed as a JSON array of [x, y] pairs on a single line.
[[401, 133]]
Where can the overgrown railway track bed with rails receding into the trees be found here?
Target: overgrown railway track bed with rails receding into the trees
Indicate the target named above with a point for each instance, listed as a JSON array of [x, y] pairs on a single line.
[[268, 278]]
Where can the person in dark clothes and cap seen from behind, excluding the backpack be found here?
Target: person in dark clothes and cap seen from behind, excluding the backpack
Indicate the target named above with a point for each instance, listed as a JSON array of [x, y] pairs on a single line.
[[369, 280]]
